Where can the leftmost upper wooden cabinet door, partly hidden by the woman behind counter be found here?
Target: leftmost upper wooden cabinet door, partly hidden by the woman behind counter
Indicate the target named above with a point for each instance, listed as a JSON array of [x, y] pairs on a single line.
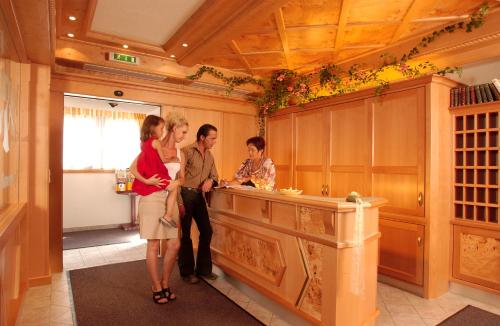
[[279, 136]]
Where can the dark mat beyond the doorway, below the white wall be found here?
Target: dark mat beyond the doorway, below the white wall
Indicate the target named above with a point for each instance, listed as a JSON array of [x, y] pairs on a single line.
[[92, 238]]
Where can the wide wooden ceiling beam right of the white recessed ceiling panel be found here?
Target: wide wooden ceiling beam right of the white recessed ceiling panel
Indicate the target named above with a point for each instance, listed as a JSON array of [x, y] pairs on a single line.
[[214, 23]]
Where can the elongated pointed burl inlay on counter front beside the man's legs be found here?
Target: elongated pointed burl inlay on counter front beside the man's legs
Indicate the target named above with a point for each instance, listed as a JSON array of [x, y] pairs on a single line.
[[257, 253]]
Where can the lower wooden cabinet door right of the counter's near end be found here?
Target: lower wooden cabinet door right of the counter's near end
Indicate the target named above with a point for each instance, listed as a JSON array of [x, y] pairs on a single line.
[[402, 251]]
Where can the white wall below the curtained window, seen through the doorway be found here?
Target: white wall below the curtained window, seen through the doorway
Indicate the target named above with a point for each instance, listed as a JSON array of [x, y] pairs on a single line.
[[89, 200]]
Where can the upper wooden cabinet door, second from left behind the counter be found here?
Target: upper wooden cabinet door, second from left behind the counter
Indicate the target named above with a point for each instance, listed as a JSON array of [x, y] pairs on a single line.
[[310, 140]]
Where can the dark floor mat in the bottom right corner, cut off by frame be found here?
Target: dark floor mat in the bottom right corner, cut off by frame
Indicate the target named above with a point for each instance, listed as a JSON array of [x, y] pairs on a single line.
[[472, 316]]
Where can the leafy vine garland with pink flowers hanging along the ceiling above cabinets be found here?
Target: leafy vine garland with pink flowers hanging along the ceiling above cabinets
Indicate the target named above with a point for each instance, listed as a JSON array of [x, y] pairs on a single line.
[[286, 87]]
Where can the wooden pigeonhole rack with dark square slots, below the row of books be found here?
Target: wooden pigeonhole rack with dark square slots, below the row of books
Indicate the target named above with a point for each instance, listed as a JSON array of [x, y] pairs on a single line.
[[476, 162]]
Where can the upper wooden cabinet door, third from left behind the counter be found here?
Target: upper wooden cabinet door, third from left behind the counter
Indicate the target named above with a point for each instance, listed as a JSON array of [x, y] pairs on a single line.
[[349, 155]]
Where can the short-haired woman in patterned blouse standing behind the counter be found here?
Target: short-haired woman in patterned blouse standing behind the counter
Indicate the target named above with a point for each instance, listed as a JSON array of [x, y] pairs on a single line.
[[257, 171]]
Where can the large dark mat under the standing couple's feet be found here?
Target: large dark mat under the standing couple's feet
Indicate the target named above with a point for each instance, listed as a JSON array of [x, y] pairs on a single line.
[[120, 295]]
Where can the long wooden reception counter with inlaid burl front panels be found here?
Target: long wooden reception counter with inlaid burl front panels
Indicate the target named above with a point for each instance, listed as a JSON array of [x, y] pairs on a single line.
[[300, 251]]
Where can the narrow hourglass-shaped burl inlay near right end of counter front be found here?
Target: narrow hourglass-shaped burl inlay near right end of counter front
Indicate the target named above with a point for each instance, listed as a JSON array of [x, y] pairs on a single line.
[[312, 296]]
